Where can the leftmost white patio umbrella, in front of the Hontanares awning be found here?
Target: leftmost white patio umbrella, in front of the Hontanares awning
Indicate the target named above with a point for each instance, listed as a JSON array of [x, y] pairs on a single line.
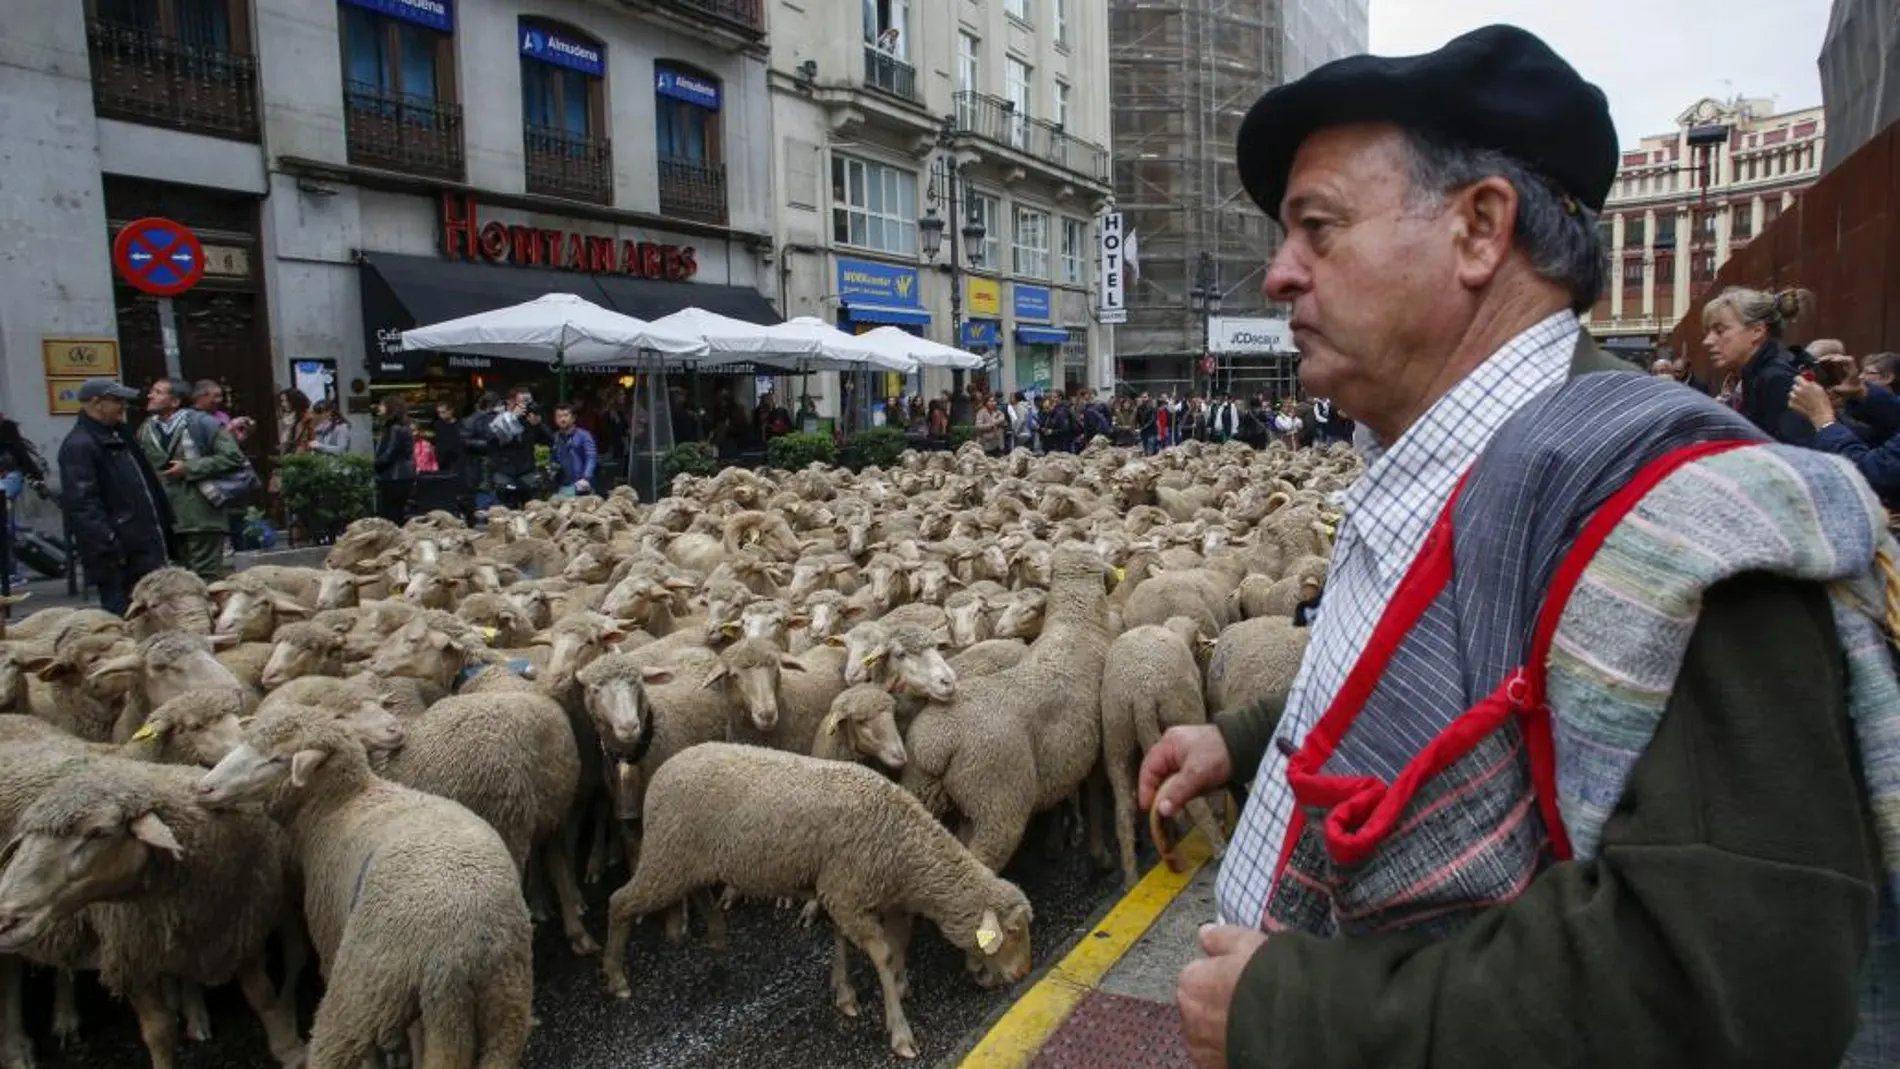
[[558, 329]]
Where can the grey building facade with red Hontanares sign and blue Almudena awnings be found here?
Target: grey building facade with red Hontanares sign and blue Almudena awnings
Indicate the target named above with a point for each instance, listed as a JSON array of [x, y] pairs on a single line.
[[362, 166]]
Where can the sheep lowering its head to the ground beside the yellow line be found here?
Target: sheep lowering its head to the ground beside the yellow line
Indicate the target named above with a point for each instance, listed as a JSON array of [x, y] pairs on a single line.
[[780, 825]]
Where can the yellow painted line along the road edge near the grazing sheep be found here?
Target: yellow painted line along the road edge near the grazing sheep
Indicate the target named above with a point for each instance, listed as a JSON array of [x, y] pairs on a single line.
[[1036, 1017]]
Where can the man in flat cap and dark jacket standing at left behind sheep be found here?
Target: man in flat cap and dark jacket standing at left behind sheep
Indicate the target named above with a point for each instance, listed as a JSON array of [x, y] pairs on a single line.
[[115, 506]]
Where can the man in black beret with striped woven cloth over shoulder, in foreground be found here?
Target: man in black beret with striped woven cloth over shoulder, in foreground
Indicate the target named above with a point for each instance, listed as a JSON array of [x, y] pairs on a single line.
[[1584, 760]]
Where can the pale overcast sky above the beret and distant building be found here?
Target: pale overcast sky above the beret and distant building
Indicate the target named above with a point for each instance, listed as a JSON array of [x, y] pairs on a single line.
[[1654, 58]]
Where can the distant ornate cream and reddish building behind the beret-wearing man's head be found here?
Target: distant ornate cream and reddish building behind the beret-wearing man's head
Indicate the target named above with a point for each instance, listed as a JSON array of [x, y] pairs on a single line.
[[1684, 202]]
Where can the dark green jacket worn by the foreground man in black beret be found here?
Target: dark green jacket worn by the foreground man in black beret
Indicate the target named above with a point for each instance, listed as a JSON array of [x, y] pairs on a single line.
[[1728, 910]]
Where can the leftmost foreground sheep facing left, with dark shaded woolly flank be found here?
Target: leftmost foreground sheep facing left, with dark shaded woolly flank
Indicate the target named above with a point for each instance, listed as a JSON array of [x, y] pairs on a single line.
[[166, 888]]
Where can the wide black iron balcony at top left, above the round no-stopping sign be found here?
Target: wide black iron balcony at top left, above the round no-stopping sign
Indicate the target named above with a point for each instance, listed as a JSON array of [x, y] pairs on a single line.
[[157, 81]]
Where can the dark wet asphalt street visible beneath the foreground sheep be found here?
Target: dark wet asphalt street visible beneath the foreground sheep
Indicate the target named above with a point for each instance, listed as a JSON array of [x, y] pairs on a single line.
[[765, 1003]]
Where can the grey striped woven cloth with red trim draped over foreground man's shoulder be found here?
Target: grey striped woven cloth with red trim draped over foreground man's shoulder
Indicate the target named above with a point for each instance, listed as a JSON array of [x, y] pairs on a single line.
[[1460, 764]]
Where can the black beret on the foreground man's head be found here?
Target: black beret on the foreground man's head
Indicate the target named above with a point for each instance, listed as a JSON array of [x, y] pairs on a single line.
[[1494, 88]]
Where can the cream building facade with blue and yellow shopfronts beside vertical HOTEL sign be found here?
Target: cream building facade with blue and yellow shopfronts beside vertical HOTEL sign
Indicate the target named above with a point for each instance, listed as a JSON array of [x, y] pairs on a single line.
[[894, 119]]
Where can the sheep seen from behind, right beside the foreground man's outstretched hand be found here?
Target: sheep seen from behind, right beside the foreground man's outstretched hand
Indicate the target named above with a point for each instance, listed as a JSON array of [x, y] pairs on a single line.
[[1152, 683]]
